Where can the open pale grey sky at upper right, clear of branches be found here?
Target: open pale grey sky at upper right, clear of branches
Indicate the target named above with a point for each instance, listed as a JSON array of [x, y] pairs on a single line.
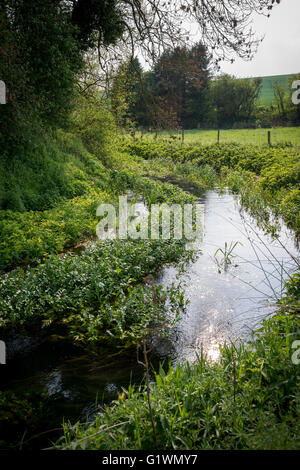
[[279, 53]]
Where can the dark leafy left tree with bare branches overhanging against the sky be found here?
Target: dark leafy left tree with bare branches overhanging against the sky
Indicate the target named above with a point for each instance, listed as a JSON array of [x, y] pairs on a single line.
[[44, 44]]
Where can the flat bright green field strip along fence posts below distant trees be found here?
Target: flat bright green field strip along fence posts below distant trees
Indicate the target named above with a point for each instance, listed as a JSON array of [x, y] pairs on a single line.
[[240, 136]]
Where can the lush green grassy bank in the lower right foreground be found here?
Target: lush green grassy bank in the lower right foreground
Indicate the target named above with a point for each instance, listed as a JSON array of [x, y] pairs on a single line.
[[248, 400]]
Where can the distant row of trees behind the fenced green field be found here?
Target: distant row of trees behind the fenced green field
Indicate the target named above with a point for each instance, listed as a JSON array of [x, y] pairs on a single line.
[[181, 92]]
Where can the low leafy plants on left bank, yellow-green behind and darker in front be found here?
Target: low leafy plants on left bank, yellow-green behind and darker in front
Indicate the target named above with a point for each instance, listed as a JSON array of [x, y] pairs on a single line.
[[74, 289]]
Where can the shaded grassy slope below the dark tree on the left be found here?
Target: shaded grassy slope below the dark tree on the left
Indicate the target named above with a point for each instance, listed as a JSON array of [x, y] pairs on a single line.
[[56, 169]]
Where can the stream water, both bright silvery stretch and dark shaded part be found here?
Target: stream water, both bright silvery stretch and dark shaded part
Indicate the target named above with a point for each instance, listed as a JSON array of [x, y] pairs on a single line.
[[226, 302]]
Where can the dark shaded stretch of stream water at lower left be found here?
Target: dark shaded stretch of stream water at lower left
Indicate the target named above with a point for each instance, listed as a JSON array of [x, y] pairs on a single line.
[[75, 379]]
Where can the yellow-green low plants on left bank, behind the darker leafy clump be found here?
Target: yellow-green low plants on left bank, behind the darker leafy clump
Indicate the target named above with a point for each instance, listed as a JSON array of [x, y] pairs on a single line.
[[30, 237]]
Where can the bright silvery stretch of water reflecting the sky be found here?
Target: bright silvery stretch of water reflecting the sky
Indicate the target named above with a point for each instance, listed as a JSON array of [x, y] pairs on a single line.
[[226, 305]]
